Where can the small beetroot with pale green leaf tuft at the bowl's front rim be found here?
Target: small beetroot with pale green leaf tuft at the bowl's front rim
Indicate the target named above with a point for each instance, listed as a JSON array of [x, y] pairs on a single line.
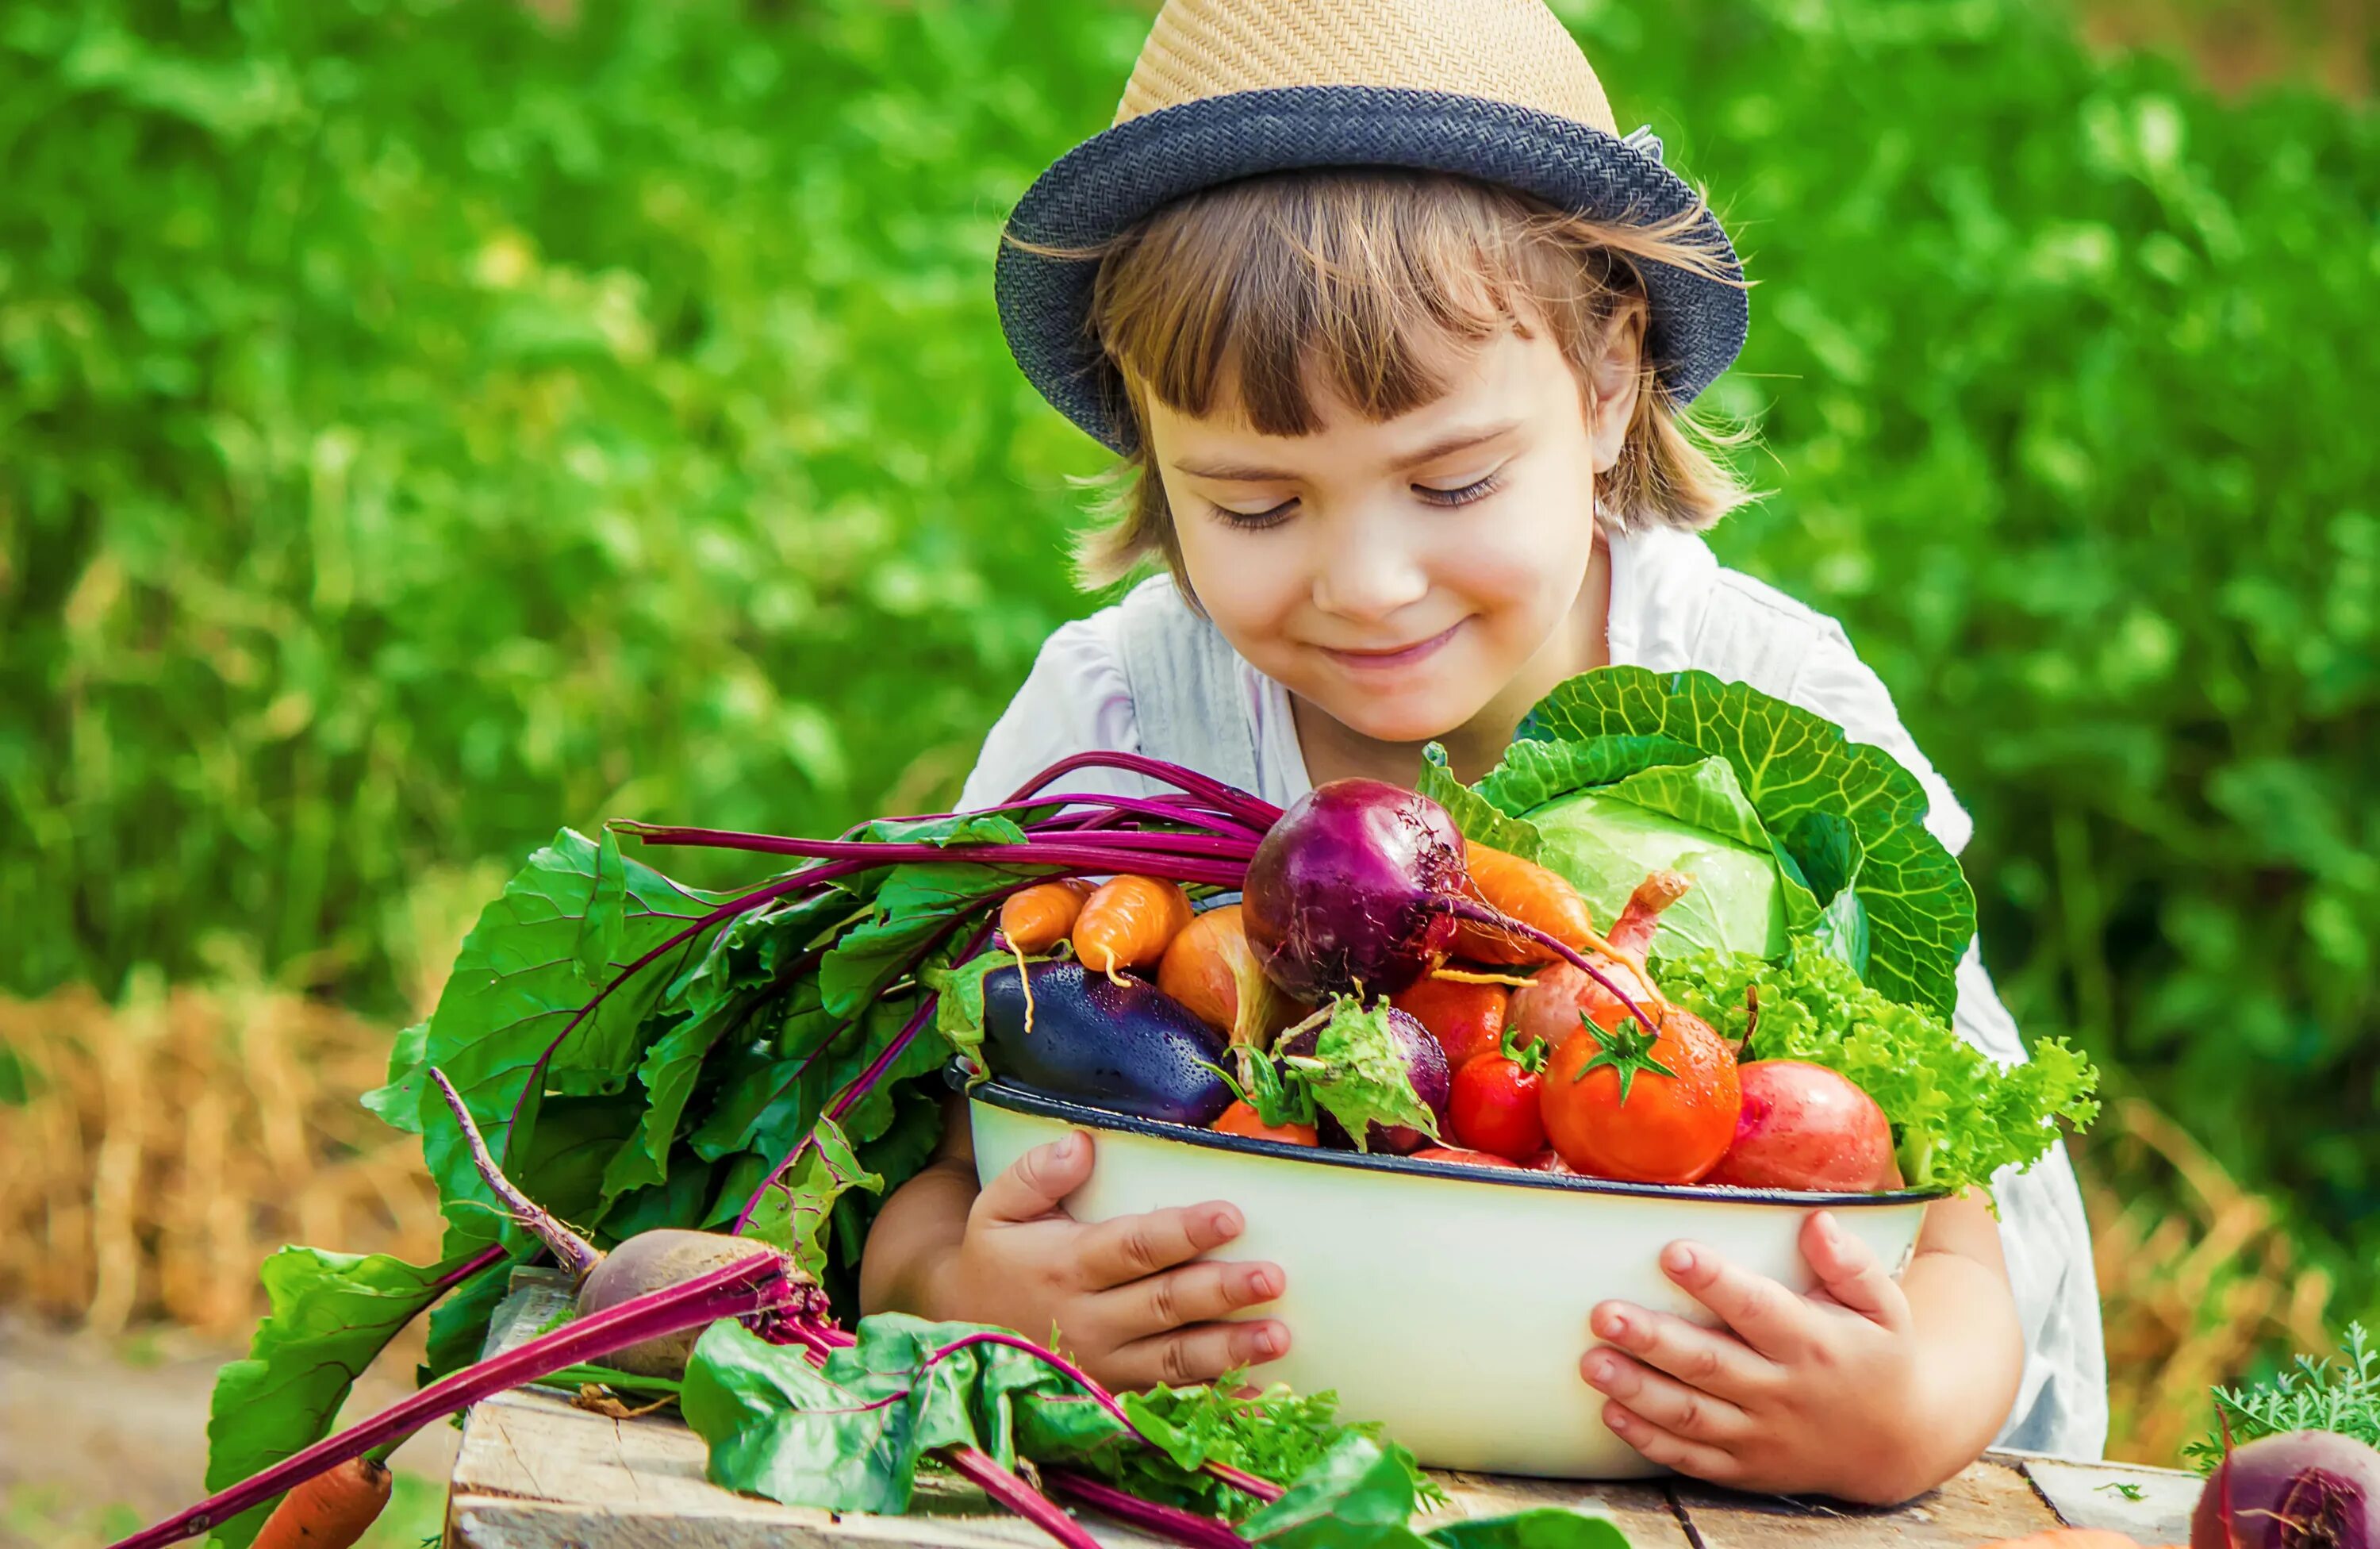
[[1351, 1065]]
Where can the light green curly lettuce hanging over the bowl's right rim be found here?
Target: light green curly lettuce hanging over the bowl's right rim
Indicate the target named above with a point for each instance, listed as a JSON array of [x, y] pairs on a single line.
[[1958, 1115]]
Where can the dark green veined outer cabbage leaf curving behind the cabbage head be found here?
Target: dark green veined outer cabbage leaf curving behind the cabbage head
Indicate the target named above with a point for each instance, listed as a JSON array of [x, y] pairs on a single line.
[[1791, 765]]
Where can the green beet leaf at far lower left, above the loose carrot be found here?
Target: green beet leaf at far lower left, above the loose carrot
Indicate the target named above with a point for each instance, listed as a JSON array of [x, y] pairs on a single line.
[[330, 1317]]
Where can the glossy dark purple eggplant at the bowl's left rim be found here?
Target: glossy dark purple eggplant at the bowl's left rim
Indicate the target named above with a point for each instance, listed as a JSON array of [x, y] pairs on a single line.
[[1127, 1048]]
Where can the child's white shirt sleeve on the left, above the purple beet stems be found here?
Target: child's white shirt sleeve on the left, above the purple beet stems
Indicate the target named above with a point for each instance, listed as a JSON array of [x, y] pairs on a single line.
[[1075, 701]]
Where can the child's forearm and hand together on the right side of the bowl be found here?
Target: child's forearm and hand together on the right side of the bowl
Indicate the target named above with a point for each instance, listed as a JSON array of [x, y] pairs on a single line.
[[1869, 1391]]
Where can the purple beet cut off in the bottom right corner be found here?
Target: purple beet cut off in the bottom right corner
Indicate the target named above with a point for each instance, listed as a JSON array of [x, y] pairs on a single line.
[[2298, 1491]]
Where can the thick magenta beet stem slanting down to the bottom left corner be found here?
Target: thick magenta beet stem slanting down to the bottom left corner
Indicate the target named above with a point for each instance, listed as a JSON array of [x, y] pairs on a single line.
[[737, 1291]]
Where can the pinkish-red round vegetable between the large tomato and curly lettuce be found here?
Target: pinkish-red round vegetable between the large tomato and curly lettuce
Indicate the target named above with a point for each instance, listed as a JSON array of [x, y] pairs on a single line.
[[1808, 1129]]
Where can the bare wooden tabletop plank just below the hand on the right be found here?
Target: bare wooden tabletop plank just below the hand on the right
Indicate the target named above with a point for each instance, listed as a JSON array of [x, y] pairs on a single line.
[[1988, 1503]]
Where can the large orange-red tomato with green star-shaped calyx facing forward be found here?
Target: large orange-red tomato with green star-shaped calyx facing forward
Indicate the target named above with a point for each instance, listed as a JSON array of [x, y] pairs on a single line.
[[1643, 1108]]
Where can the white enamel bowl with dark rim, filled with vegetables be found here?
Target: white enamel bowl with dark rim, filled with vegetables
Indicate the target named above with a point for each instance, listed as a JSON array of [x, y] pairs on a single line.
[[1446, 1303]]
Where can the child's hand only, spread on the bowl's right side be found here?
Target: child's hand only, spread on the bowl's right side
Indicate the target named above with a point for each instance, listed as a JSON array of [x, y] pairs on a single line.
[[1793, 1396]]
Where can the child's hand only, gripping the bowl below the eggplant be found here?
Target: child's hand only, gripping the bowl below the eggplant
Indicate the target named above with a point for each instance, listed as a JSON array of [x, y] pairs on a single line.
[[1127, 1300]]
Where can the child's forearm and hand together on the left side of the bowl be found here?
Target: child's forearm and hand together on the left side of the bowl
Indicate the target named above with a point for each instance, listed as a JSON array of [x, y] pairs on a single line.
[[1127, 1298]]
